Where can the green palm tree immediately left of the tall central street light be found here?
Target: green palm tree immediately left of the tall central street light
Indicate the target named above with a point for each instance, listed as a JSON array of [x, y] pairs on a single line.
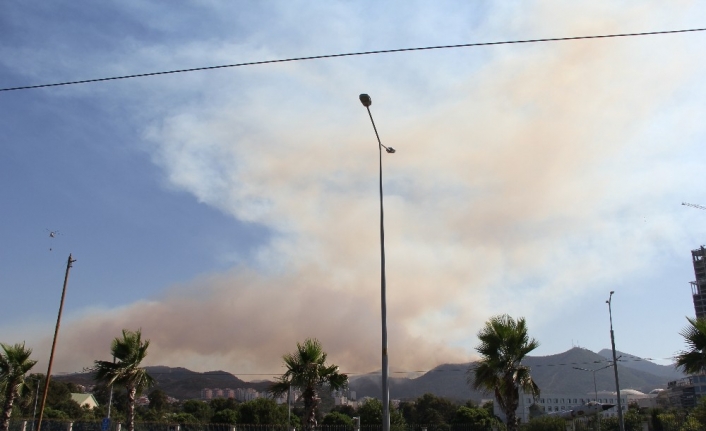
[[307, 370]]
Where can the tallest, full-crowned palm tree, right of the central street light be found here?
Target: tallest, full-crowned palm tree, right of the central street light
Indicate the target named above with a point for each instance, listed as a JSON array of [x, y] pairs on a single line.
[[503, 344]]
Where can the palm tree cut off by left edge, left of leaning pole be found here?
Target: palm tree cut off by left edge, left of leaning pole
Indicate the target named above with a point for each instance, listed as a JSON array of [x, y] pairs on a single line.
[[14, 365]]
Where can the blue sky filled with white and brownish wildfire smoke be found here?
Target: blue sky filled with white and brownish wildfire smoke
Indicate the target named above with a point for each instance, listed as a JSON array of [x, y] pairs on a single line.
[[231, 213]]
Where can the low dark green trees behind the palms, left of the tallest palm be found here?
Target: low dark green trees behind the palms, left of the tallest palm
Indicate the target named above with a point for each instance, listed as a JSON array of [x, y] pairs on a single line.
[[428, 409]]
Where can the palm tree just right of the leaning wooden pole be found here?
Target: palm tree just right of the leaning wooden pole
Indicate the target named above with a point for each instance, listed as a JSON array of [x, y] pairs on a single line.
[[129, 351]]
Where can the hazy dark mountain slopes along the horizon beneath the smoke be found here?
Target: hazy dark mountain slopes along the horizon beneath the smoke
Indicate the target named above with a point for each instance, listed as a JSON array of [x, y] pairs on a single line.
[[554, 373]]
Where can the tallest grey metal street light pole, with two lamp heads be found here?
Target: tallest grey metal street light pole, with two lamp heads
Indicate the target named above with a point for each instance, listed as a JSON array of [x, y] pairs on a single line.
[[367, 101]]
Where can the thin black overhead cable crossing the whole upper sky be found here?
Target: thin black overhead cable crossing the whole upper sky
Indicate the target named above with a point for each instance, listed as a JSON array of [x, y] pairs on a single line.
[[352, 54]]
